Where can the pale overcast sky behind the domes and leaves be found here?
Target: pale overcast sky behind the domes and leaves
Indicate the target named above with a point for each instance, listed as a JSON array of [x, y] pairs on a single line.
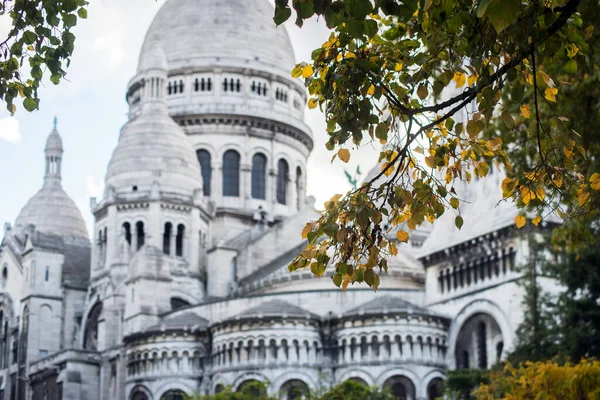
[[91, 109]]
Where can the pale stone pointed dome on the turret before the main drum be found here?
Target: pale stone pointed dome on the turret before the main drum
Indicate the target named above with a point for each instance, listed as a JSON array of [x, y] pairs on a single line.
[[153, 149]]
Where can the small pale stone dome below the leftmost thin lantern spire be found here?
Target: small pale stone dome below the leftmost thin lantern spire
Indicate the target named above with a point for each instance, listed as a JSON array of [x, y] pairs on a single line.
[[51, 210]]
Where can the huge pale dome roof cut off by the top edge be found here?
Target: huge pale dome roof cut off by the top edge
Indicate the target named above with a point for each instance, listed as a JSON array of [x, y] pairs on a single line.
[[200, 33]]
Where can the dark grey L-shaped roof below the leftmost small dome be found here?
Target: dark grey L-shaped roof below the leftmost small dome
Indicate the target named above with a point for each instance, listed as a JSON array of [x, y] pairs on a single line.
[[76, 253]]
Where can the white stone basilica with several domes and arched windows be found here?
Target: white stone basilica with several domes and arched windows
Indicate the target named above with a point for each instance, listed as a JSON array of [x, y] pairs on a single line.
[[182, 287]]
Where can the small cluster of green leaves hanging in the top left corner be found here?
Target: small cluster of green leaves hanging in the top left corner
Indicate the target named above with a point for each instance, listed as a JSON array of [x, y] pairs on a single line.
[[39, 43]]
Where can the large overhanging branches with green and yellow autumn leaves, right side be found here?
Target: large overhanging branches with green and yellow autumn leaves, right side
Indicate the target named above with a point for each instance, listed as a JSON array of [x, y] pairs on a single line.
[[429, 79]]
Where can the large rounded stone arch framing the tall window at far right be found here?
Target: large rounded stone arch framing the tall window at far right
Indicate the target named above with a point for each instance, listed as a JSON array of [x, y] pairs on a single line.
[[479, 306]]
